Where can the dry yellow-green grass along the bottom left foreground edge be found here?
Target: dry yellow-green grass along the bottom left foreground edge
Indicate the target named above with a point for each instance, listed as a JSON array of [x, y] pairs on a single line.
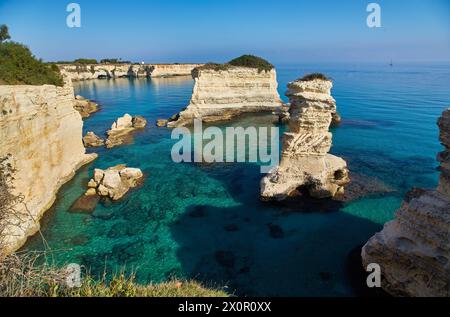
[[20, 276]]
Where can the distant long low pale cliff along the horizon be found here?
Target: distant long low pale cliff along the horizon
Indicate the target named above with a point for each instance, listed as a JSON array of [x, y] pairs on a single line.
[[95, 71]]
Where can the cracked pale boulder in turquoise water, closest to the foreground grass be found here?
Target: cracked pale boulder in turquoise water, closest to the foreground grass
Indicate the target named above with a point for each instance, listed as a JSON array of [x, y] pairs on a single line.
[[114, 182]]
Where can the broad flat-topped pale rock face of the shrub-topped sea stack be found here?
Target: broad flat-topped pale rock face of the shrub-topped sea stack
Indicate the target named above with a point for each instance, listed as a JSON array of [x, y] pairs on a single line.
[[222, 94]]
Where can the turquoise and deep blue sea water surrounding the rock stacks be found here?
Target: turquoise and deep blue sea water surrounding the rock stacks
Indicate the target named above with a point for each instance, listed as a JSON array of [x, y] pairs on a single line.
[[205, 221]]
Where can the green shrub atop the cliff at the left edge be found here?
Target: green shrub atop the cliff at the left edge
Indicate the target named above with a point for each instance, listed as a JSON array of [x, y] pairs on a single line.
[[18, 66]]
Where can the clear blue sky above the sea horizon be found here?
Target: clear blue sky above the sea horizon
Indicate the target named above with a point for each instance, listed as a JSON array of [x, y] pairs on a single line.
[[283, 31]]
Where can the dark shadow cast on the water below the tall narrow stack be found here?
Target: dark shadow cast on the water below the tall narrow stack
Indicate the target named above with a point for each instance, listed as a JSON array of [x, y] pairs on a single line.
[[259, 249]]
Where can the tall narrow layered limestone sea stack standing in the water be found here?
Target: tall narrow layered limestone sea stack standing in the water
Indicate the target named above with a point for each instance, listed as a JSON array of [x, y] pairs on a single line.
[[306, 166]]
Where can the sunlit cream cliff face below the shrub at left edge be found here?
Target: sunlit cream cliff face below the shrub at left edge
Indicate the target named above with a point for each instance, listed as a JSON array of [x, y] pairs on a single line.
[[41, 132]]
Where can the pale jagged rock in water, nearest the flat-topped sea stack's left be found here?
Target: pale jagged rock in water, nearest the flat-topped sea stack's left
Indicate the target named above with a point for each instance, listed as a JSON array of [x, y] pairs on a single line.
[[120, 132]]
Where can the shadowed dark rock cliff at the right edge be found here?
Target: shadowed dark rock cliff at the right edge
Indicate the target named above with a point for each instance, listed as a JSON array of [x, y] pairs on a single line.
[[413, 250]]
